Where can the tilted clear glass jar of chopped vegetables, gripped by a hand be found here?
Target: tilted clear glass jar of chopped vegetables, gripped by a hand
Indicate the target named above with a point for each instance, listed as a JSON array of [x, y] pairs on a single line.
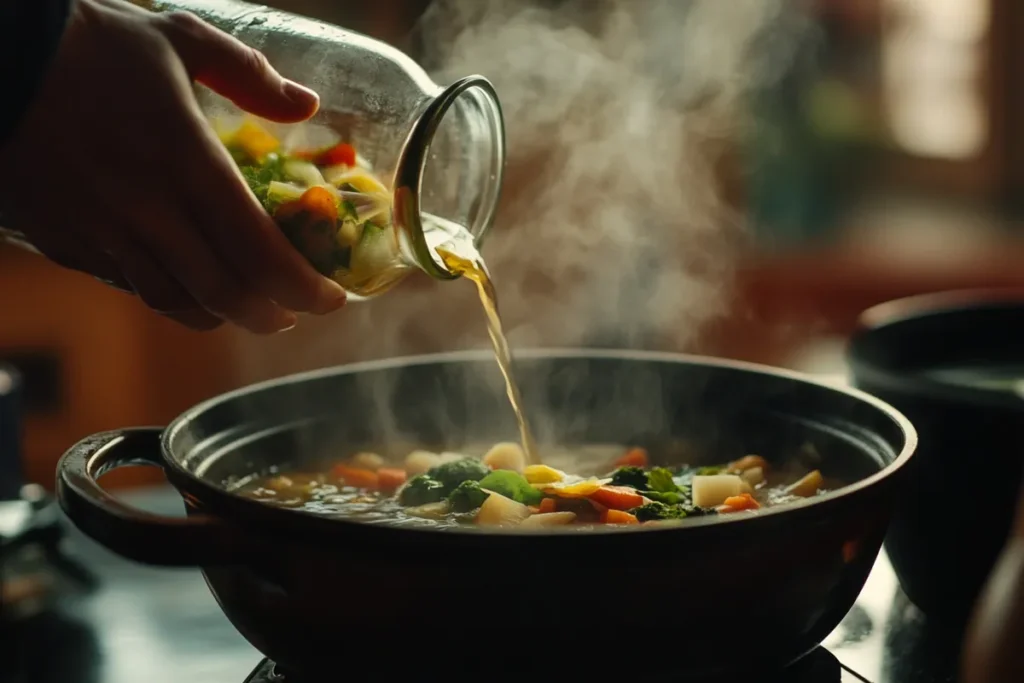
[[442, 149]]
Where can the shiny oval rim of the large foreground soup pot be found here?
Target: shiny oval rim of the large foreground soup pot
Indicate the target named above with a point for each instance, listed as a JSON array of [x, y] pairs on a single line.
[[215, 499]]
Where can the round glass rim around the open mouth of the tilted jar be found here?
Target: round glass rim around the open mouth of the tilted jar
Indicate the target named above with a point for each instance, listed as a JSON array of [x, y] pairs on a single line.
[[408, 211]]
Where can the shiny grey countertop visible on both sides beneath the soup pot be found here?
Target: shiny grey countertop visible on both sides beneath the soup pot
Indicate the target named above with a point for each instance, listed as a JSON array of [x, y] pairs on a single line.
[[146, 625]]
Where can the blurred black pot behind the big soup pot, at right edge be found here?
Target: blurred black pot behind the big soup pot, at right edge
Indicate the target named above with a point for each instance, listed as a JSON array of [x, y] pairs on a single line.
[[957, 508]]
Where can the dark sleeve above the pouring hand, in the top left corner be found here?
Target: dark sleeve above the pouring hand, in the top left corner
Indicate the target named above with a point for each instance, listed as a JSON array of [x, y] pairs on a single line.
[[30, 33]]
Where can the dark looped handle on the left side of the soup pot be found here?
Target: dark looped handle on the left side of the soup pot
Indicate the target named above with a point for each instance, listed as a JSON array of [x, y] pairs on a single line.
[[141, 536]]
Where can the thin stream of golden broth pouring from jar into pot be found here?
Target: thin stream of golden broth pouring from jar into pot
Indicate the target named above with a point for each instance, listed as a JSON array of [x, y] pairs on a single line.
[[471, 265]]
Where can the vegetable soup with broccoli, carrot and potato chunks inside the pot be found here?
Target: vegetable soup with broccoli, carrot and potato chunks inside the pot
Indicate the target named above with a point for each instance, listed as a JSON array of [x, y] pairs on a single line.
[[501, 490]]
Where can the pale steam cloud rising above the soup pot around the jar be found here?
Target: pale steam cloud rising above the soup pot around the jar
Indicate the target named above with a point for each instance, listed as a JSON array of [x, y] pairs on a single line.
[[612, 230]]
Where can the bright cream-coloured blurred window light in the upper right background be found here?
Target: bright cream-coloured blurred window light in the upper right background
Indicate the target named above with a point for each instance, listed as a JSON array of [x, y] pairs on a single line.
[[932, 67]]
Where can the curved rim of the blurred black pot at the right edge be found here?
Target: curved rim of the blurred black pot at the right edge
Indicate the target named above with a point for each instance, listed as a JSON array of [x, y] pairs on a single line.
[[908, 311]]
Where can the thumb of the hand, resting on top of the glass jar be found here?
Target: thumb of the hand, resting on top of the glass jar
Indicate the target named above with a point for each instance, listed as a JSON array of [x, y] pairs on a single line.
[[236, 71]]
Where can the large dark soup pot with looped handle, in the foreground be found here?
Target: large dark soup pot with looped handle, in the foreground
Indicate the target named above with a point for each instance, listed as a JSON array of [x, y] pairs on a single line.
[[314, 593]]
